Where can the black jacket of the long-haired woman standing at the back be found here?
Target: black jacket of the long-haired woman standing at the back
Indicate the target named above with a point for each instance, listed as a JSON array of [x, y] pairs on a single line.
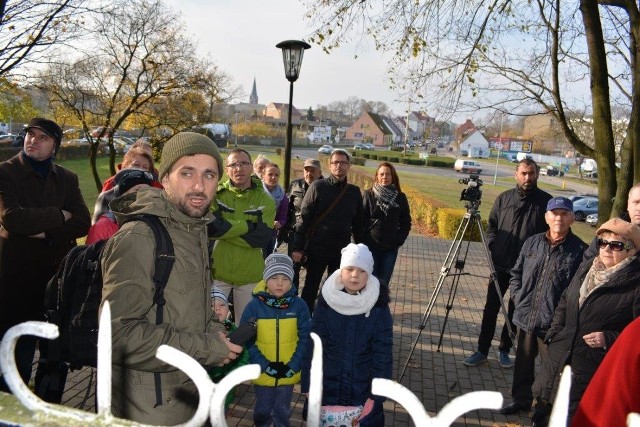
[[384, 232]]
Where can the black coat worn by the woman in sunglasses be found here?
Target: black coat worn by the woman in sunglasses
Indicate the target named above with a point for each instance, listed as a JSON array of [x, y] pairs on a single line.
[[608, 309]]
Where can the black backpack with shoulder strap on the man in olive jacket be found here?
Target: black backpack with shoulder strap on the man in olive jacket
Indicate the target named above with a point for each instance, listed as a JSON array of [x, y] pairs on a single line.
[[73, 296]]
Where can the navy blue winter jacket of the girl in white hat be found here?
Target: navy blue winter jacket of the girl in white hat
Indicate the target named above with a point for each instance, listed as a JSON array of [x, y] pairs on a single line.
[[356, 349]]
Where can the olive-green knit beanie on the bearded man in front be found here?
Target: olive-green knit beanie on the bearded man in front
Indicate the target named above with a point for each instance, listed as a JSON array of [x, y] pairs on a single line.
[[187, 144]]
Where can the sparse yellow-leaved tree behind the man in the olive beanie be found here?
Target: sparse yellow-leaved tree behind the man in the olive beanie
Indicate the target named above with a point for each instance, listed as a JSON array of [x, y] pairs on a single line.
[[139, 59]]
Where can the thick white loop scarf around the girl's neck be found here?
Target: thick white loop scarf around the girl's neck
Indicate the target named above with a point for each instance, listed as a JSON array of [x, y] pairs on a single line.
[[348, 304]]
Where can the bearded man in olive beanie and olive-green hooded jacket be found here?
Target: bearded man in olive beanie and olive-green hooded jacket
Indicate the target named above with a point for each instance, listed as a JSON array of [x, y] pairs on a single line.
[[189, 171]]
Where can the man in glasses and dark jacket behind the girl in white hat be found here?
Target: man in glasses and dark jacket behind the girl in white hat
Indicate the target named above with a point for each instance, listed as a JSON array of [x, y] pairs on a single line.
[[325, 227]]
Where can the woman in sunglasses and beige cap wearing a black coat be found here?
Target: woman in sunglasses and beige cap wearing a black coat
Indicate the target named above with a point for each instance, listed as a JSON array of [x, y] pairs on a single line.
[[603, 298]]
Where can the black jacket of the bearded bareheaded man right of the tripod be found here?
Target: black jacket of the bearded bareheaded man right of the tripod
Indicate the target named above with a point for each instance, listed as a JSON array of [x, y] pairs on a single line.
[[515, 216]]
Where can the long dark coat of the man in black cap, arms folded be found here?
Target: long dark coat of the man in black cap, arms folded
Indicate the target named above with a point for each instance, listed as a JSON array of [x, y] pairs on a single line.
[[29, 205]]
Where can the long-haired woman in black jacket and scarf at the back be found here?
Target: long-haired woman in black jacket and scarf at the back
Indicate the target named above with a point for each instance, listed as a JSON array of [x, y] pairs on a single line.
[[387, 221]]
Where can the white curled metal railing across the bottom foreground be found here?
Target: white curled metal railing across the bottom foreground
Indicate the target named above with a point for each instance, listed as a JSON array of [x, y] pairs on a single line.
[[212, 396]]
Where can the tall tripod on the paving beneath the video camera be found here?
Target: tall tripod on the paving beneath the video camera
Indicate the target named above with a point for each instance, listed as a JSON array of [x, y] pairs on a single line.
[[471, 217]]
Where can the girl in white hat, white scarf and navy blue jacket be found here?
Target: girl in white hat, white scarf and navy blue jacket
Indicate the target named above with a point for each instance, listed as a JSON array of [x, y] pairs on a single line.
[[353, 320]]
